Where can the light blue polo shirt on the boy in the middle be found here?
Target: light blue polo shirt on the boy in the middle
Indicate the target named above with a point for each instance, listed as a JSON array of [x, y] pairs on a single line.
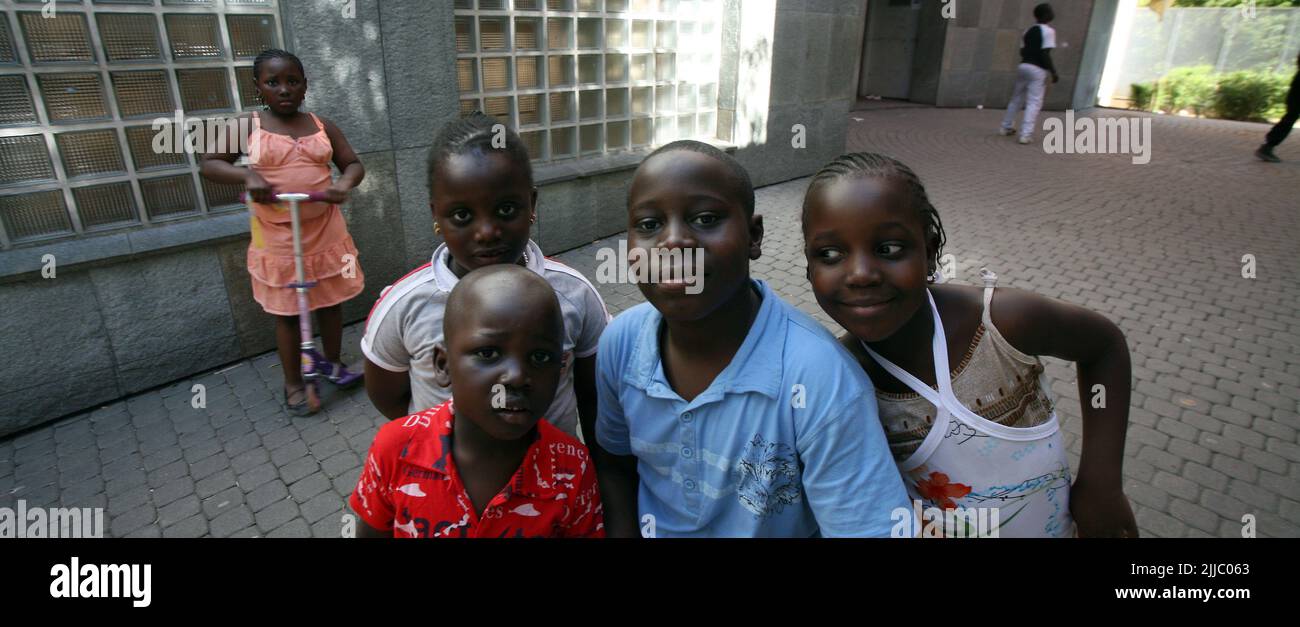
[[786, 443]]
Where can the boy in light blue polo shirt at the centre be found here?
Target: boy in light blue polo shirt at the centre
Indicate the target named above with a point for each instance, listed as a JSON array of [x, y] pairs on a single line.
[[725, 412]]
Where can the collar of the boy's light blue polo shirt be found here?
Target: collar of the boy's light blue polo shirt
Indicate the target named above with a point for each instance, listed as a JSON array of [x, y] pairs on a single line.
[[756, 367]]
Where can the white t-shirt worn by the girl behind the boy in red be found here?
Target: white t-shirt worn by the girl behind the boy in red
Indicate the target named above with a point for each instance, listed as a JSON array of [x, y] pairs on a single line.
[[406, 323]]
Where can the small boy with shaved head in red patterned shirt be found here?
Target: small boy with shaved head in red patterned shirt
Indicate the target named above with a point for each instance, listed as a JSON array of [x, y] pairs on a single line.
[[486, 464]]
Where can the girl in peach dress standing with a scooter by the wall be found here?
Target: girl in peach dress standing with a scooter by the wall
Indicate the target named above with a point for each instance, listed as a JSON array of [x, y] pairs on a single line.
[[292, 152]]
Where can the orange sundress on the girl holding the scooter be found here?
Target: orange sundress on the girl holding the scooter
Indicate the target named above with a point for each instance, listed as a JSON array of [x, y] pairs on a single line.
[[330, 254]]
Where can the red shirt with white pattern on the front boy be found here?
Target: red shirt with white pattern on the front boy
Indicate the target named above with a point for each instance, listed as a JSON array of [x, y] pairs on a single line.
[[410, 485]]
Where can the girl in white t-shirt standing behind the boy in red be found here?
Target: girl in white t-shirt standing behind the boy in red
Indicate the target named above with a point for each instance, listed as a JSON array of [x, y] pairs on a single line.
[[484, 206]]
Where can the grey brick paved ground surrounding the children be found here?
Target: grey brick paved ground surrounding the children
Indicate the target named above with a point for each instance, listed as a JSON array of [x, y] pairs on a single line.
[[1158, 248]]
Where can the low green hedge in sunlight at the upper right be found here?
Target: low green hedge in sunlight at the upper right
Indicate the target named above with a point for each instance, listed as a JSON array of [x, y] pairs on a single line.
[[1238, 96]]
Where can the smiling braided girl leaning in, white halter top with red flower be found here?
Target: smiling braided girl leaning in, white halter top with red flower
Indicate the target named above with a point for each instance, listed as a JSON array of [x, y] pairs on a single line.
[[960, 386]]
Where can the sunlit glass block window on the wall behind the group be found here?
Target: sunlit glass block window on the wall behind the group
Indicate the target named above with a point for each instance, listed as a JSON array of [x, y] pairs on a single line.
[[590, 77]]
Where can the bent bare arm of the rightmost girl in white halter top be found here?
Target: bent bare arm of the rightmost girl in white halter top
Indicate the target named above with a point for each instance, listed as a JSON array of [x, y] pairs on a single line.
[[1039, 326]]
